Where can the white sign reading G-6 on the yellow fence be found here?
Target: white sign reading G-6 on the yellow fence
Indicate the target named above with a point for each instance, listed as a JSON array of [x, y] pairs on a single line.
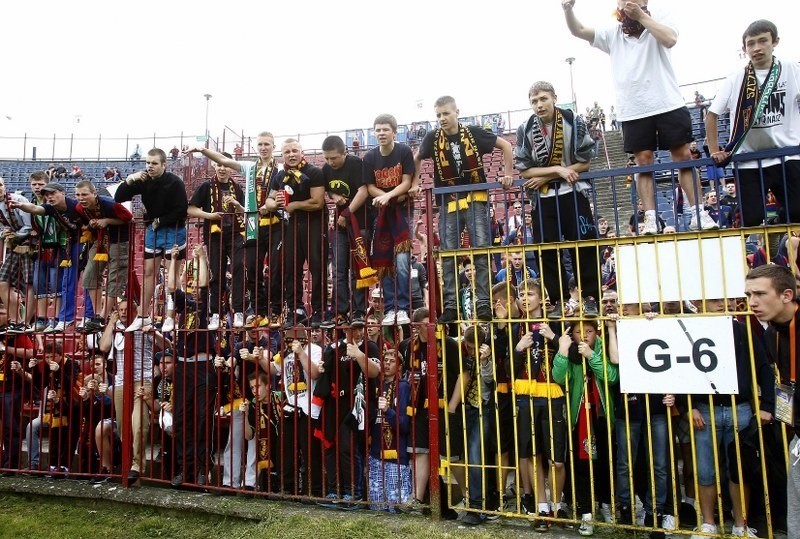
[[687, 356]]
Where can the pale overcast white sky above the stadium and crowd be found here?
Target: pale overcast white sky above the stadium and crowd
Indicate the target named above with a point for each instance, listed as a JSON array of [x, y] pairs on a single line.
[[137, 68]]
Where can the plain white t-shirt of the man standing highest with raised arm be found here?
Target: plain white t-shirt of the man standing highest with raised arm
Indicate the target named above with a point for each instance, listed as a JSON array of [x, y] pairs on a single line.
[[642, 69]]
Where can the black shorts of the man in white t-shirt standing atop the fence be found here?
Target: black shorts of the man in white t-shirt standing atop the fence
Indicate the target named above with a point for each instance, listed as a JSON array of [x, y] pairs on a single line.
[[660, 132]]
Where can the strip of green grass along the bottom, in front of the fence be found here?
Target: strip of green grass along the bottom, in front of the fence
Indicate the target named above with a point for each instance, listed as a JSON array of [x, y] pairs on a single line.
[[55, 518]]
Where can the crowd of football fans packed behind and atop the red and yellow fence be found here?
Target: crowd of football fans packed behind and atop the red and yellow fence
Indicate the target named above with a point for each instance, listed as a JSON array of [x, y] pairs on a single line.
[[315, 334]]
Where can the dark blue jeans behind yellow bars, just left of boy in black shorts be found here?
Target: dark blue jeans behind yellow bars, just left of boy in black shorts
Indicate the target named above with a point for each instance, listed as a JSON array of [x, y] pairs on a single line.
[[481, 483]]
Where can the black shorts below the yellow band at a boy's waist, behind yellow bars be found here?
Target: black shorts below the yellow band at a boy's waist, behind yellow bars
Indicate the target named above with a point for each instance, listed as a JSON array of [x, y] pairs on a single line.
[[537, 428]]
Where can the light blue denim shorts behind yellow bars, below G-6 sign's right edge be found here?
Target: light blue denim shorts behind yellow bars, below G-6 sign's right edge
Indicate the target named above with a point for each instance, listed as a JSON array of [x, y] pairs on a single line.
[[723, 423]]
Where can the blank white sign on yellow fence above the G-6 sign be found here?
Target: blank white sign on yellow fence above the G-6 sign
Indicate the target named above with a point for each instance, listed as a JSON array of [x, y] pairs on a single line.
[[681, 270]]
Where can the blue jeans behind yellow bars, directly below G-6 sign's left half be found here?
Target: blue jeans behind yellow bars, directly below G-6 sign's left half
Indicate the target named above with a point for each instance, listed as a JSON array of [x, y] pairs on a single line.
[[639, 433]]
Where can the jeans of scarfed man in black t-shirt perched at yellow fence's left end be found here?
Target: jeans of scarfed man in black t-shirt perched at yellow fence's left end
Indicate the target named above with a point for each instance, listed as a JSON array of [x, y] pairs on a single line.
[[476, 220]]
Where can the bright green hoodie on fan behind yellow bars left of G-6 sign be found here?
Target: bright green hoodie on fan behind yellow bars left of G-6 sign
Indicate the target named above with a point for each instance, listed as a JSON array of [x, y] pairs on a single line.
[[570, 375]]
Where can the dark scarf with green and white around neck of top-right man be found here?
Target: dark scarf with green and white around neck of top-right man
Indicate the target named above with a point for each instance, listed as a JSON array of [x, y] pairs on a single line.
[[751, 104]]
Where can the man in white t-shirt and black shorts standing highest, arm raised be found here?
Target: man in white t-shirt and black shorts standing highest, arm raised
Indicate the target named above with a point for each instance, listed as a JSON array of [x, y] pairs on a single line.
[[651, 106]]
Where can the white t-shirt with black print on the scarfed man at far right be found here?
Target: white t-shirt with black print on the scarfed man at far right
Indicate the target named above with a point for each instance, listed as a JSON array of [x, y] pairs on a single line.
[[779, 125]]
